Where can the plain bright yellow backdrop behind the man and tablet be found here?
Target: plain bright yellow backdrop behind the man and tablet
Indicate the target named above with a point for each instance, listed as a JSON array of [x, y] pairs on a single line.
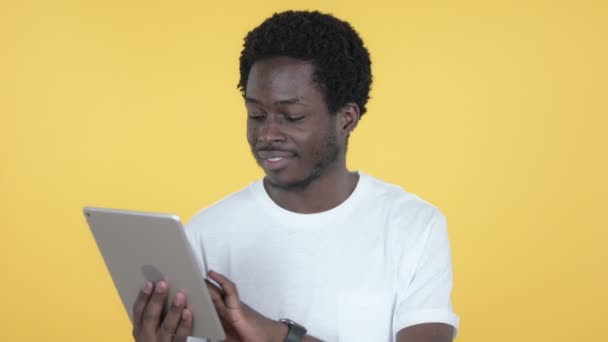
[[493, 110]]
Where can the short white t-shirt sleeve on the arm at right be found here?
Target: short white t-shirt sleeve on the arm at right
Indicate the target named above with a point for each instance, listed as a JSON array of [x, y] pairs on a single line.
[[424, 296]]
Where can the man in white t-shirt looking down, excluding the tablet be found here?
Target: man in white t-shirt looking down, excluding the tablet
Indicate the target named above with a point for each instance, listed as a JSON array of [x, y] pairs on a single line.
[[342, 255]]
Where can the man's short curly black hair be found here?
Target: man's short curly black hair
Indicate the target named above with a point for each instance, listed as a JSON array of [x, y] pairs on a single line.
[[342, 63]]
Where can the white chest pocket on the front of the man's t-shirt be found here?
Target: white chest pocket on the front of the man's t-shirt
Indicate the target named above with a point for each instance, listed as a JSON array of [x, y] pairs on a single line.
[[365, 316]]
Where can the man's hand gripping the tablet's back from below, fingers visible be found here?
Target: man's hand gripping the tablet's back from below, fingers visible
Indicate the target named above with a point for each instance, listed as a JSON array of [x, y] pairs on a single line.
[[149, 326]]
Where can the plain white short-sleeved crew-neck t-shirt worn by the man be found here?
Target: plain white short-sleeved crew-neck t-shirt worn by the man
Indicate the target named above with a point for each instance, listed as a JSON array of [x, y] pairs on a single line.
[[377, 263]]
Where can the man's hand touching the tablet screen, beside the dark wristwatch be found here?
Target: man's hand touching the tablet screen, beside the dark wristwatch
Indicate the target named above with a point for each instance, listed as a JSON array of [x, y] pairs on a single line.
[[241, 323]]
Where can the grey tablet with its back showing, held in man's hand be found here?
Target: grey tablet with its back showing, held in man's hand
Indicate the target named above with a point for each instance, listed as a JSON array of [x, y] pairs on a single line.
[[138, 246]]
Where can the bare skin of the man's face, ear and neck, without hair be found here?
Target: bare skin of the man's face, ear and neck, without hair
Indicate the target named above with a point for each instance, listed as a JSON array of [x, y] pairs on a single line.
[[288, 117]]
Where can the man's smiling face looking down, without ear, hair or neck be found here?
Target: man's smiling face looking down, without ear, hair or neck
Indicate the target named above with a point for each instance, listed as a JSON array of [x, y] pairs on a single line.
[[292, 134]]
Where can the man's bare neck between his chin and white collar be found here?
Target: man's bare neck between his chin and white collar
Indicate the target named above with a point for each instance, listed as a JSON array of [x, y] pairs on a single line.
[[324, 193]]
